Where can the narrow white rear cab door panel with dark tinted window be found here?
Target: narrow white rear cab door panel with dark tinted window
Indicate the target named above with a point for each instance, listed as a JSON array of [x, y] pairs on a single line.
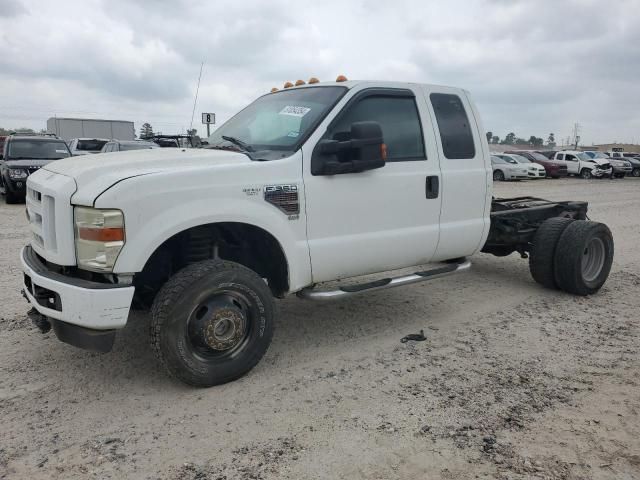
[[466, 172]]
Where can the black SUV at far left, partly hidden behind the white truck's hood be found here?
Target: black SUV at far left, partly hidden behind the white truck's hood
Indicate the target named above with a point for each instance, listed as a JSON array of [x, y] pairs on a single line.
[[21, 156]]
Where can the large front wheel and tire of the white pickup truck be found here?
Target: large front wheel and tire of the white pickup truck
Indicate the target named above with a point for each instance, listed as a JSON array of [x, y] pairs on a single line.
[[212, 322]]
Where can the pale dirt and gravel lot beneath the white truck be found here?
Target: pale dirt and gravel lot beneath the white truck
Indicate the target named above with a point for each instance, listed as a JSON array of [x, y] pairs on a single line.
[[514, 381]]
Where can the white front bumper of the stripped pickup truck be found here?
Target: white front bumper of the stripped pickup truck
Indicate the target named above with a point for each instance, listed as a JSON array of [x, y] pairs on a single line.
[[74, 301]]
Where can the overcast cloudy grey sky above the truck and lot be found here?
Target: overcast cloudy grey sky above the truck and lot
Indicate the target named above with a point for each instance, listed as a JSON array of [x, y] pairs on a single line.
[[532, 66]]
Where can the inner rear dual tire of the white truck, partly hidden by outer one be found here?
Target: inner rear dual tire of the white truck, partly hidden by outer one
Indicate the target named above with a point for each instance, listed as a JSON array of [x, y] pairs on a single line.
[[543, 250]]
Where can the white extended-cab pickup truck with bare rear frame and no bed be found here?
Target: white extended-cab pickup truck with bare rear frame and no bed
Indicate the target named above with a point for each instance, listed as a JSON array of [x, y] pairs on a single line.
[[307, 185]]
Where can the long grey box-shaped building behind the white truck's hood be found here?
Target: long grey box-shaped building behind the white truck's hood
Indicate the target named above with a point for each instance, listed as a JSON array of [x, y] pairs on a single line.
[[69, 128]]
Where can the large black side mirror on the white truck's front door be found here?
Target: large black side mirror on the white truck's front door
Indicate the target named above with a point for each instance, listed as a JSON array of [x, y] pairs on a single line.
[[361, 149]]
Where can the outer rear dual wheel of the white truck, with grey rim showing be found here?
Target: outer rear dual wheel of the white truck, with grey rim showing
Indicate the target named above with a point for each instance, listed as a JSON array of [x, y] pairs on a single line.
[[583, 257]]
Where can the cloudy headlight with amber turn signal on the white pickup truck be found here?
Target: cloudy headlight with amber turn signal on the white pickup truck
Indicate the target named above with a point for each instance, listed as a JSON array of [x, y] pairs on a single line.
[[99, 238]]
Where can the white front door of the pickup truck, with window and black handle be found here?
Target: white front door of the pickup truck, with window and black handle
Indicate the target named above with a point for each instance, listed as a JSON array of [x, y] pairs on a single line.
[[379, 219]]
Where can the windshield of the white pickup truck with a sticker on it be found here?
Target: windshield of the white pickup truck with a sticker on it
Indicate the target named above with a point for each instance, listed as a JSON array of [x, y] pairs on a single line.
[[278, 121]]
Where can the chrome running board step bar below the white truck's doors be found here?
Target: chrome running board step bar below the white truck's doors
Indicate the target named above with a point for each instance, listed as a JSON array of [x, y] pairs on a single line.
[[347, 291]]
